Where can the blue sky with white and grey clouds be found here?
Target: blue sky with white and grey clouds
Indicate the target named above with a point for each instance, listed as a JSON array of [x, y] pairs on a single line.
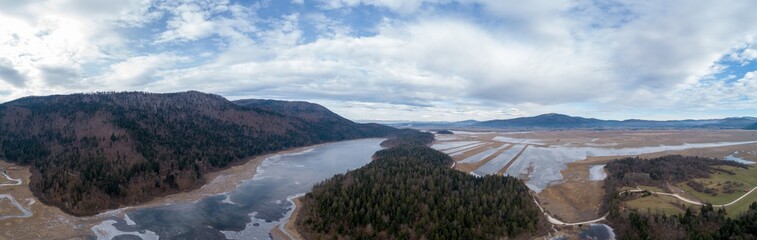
[[421, 60]]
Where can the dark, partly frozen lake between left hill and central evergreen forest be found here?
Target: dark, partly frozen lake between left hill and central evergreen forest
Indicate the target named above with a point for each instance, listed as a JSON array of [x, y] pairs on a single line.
[[256, 206]]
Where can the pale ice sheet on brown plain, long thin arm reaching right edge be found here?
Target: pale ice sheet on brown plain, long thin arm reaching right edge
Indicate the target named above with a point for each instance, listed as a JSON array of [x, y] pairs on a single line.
[[547, 162]]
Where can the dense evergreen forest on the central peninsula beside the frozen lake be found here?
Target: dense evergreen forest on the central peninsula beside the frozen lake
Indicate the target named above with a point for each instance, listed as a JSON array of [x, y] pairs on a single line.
[[410, 192]]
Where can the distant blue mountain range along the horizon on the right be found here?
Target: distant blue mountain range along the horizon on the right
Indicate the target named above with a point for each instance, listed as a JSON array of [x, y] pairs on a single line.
[[561, 121]]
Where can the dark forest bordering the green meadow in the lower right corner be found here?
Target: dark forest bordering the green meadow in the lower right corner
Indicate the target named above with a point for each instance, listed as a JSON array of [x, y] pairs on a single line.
[[707, 223]]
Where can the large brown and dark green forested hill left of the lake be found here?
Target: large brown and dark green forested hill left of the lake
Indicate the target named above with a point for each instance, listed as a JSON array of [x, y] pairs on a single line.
[[91, 152]]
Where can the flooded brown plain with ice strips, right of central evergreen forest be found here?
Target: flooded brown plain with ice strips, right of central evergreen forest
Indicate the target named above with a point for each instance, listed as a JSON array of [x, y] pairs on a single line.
[[565, 169]]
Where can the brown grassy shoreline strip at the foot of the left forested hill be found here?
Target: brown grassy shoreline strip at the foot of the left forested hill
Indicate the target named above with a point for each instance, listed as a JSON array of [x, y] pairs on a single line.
[[66, 225]]
